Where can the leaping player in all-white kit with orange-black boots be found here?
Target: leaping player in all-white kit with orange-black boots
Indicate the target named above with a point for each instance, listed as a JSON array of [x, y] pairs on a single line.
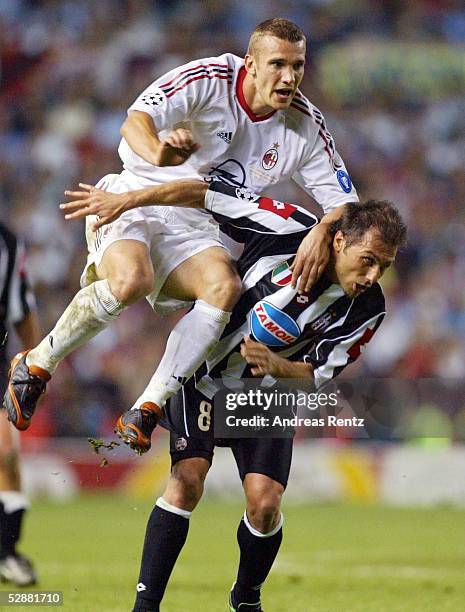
[[224, 118]]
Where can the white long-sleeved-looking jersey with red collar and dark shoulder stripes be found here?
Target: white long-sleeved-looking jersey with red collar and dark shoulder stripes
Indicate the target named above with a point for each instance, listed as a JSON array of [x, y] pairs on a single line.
[[238, 147]]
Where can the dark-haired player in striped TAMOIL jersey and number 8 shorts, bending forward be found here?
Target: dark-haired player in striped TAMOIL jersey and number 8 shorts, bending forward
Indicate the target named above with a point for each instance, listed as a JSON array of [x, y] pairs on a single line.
[[340, 314]]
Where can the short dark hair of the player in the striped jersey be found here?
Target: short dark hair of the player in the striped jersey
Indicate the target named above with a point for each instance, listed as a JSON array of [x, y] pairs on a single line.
[[381, 215]]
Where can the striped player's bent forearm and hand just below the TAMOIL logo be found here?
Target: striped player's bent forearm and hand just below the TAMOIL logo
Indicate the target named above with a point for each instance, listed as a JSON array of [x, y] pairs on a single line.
[[264, 361]]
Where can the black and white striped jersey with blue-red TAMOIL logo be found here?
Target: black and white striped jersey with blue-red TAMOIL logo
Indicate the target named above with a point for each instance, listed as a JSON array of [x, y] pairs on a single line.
[[325, 328]]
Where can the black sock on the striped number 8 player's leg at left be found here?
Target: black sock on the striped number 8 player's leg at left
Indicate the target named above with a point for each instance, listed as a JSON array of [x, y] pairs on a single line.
[[164, 538]]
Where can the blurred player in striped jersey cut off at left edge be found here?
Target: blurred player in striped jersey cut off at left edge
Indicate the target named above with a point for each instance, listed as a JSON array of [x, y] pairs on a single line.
[[17, 308]]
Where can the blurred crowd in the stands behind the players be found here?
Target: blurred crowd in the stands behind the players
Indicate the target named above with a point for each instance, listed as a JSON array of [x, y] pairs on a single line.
[[389, 77]]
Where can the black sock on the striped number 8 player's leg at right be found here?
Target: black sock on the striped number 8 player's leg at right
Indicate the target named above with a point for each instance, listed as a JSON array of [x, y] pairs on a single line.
[[257, 557]]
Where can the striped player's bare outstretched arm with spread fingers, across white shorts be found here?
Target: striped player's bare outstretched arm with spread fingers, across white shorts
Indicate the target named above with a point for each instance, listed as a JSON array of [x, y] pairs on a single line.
[[110, 206]]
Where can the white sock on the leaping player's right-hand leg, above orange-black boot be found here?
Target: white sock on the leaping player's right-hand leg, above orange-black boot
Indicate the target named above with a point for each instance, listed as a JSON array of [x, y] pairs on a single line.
[[187, 348]]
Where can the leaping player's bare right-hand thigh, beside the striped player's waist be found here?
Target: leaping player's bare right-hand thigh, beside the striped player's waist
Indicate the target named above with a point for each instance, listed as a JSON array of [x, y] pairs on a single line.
[[204, 274]]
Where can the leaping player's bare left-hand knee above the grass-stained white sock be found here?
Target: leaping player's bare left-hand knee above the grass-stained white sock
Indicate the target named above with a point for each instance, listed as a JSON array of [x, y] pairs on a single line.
[[127, 266]]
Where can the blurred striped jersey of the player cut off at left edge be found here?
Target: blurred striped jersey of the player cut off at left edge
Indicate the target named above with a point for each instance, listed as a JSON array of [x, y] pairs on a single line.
[[16, 297]]
